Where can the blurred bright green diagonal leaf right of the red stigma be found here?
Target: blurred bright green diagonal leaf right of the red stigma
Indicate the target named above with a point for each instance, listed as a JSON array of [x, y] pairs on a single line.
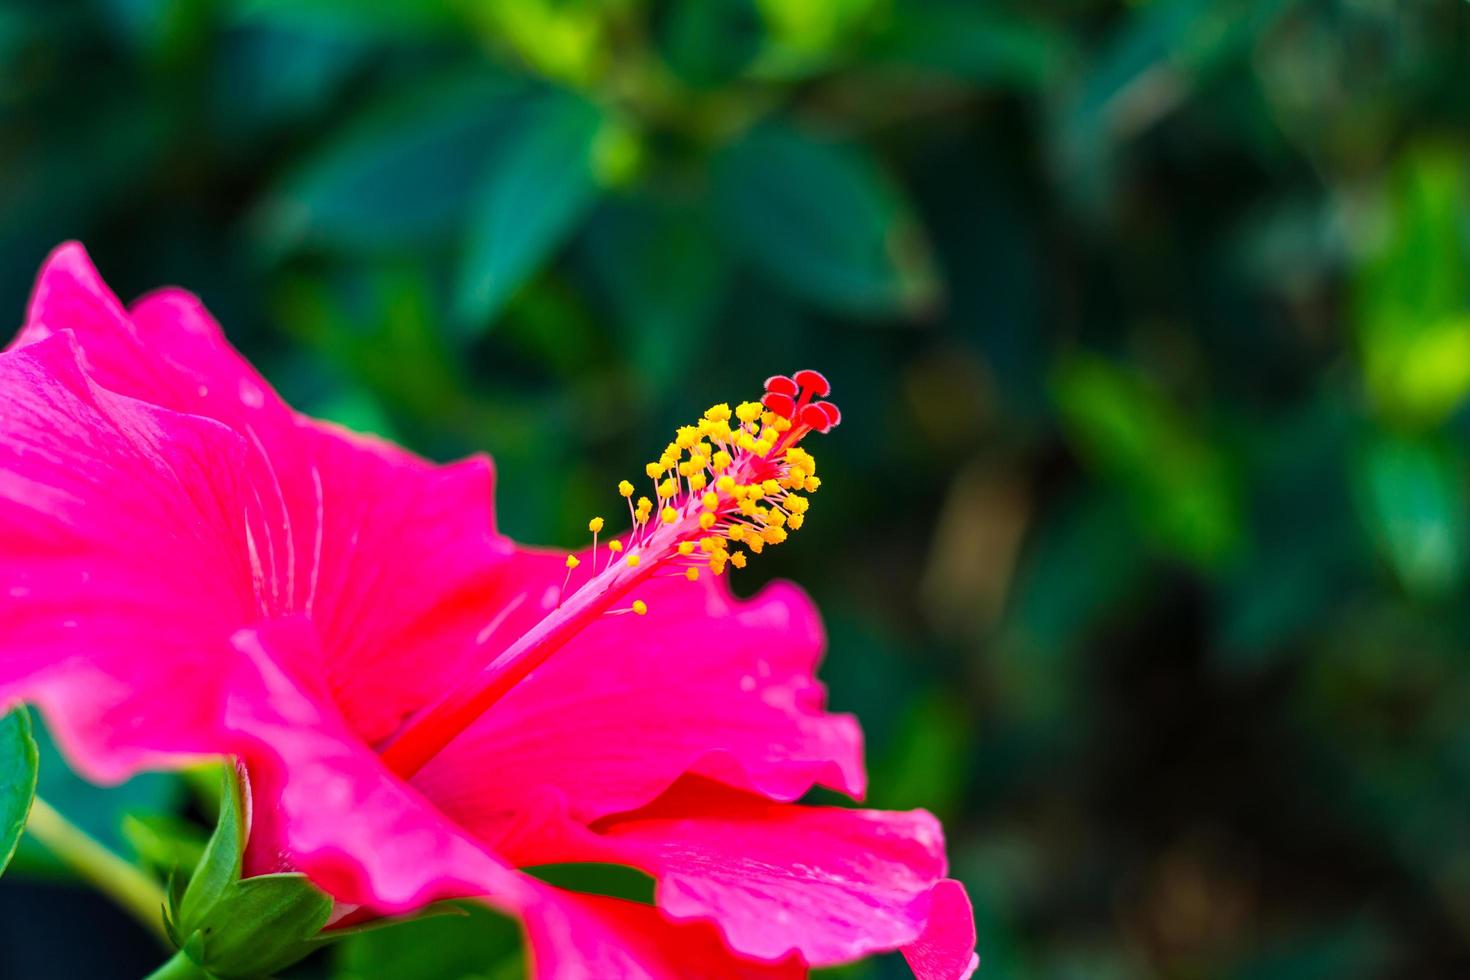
[[1181, 489]]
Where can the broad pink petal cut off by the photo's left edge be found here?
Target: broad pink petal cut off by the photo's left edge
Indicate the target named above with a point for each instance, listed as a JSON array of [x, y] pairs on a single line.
[[124, 562]]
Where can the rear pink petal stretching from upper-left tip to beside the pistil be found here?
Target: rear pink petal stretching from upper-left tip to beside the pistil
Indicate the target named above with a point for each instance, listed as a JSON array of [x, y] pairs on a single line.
[[390, 555]]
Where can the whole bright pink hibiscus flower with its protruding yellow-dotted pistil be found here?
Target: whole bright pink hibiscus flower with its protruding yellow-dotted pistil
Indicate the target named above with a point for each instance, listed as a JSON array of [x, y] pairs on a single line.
[[190, 568]]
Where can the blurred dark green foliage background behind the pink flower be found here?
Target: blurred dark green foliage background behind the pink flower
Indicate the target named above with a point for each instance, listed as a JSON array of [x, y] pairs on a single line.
[[1144, 543]]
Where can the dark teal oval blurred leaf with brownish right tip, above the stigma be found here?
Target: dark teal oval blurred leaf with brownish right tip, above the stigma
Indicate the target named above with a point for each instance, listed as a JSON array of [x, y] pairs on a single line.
[[822, 220]]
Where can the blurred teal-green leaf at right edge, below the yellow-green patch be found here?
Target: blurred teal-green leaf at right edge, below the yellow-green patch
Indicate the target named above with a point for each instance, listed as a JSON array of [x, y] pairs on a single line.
[[1415, 503]]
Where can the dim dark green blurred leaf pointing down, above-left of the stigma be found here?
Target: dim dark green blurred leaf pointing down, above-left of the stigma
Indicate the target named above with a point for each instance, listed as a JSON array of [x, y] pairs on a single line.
[[665, 278]]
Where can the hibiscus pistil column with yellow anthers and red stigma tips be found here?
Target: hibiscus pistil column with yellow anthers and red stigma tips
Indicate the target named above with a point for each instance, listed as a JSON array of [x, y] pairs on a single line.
[[730, 486]]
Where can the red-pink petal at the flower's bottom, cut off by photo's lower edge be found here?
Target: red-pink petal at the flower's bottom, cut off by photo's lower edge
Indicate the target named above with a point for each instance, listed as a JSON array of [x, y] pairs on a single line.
[[592, 938]]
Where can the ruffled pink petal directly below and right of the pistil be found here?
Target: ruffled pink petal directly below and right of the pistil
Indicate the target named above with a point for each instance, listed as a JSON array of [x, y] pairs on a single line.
[[703, 684]]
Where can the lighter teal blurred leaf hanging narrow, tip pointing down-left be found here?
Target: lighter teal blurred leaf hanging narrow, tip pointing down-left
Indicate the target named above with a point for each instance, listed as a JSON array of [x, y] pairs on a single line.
[[531, 196]]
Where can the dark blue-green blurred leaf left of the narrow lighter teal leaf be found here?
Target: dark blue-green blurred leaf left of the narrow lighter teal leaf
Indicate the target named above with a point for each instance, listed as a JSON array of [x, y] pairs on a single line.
[[402, 174]]
